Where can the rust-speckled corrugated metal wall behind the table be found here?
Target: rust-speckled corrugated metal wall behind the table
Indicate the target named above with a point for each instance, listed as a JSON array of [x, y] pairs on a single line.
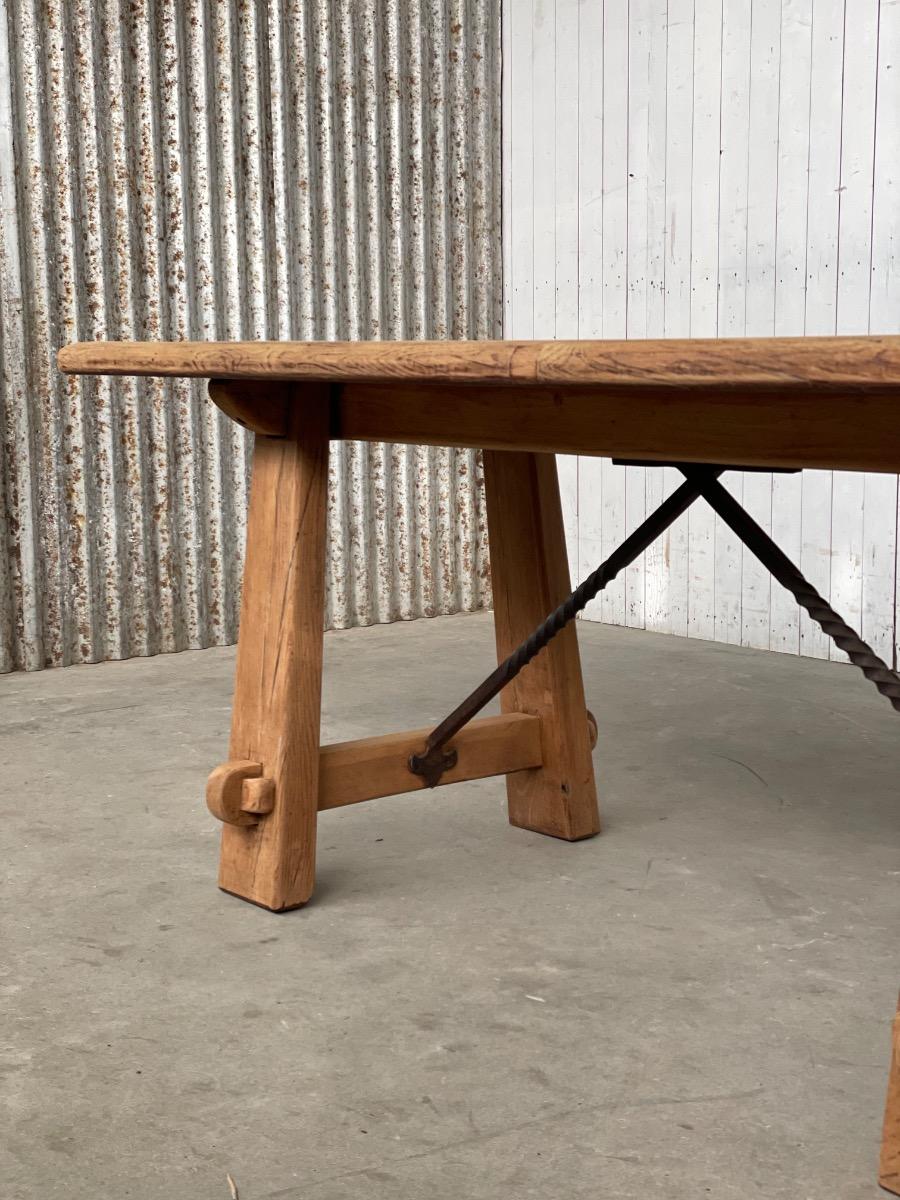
[[214, 169]]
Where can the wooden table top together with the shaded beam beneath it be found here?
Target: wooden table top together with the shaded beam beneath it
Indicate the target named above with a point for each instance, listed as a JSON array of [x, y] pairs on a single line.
[[830, 403]]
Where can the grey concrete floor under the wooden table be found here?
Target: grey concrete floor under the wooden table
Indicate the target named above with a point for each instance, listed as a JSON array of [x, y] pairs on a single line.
[[695, 1004]]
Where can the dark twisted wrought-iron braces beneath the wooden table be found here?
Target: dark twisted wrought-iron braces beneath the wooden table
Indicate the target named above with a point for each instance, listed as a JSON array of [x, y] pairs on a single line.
[[700, 482]]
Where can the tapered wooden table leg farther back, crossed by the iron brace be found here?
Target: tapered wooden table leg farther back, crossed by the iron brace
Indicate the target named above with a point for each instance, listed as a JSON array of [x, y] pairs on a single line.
[[531, 577]]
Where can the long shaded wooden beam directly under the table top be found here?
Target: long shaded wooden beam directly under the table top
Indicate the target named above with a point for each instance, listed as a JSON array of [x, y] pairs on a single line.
[[764, 427]]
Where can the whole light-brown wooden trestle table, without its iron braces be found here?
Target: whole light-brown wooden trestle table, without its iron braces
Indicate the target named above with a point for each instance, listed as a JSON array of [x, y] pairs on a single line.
[[773, 404]]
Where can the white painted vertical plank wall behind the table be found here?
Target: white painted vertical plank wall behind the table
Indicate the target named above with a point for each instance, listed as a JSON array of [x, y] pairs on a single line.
[[711, 169]]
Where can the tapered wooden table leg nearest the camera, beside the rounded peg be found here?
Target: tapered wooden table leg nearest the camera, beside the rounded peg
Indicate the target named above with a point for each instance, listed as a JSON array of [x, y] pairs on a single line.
[[275, 722]]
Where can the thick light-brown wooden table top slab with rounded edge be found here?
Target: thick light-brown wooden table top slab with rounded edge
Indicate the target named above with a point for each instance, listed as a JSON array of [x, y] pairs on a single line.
[[789, 363]]
